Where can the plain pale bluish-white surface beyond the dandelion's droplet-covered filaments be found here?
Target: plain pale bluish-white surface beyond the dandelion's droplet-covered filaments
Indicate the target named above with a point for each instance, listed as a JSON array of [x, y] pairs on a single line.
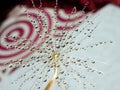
[[108, 29]]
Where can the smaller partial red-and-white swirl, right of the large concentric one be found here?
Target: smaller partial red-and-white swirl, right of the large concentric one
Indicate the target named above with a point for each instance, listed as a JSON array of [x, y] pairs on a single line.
[[69, 19]]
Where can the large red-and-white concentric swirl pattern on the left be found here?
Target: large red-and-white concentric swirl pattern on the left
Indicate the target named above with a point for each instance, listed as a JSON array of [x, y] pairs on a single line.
[[23, 28]]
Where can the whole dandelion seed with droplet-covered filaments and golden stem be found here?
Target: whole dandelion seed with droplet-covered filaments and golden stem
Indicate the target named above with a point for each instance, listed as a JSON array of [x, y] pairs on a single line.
[[54, 51]]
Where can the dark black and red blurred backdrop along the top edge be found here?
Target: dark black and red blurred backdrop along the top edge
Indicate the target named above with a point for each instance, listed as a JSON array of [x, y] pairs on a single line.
[[6, 7]]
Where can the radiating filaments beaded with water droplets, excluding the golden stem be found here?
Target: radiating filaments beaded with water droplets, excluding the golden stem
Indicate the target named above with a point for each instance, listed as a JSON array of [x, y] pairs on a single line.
[[40, 65]]
